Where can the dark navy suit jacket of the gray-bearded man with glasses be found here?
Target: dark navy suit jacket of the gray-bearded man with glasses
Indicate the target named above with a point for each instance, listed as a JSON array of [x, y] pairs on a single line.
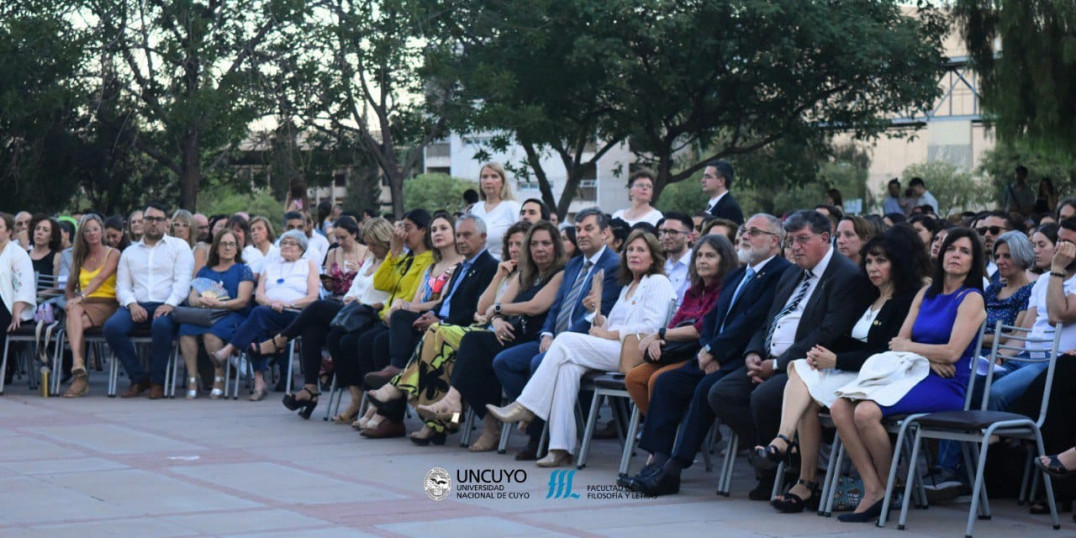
[[741, 320]]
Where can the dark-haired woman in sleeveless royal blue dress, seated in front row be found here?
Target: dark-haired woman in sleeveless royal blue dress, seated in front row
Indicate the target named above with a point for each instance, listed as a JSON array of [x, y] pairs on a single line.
[[942, 327]]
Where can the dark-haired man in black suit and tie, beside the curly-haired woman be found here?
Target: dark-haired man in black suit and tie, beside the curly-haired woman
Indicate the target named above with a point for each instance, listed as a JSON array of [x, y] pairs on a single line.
[[818, 300]]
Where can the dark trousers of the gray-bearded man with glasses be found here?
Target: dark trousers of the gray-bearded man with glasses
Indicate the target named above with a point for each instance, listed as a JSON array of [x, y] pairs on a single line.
[[681, 397]]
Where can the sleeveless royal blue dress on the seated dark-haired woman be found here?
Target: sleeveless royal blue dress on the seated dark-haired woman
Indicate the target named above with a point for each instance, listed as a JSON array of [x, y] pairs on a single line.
[[935, 327]]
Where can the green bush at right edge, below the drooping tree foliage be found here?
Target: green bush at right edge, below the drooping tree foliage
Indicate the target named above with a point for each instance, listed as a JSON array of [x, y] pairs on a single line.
[[1000, 163]]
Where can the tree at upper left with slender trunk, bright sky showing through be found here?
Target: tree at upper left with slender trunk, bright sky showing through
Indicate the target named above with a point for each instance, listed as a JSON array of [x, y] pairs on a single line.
[[189, 66]]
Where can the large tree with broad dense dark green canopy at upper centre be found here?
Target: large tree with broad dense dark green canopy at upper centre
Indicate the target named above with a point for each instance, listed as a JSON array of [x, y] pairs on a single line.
[[683, 77]]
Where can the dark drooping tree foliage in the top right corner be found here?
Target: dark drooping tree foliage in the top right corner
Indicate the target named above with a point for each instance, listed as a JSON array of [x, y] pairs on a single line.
[[1028, 88]]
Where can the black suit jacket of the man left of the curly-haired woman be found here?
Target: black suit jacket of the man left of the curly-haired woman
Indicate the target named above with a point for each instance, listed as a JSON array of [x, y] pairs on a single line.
[[838, 302]]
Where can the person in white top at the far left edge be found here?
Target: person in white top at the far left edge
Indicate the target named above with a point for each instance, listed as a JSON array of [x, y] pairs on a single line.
[[18, 287]]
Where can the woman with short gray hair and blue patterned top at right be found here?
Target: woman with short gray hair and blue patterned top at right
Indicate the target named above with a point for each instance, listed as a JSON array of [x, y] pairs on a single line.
[[1008, 301]]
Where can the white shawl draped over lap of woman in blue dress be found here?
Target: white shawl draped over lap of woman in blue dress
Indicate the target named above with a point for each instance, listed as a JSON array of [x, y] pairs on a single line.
[[887, 377]]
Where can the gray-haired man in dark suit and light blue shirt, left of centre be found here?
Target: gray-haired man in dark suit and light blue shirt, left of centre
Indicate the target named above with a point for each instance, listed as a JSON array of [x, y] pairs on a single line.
[[457, 307]]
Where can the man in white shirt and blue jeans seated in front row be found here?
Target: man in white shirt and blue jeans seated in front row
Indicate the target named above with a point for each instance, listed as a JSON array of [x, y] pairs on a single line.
[[153, 278]]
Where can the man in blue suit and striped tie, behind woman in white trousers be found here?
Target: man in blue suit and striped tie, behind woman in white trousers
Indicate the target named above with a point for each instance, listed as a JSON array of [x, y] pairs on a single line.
[[515, 365]]
